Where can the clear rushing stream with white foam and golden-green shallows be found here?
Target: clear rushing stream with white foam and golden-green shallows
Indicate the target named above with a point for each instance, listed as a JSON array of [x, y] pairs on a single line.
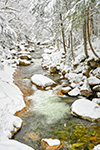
[[48, 115]]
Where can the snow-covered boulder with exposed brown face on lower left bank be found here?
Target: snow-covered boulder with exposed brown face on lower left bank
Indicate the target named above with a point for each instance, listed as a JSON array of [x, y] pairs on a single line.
[[8, 123]]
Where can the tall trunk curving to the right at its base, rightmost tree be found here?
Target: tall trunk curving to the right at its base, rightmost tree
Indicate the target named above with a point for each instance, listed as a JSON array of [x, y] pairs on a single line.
[[89, 35]]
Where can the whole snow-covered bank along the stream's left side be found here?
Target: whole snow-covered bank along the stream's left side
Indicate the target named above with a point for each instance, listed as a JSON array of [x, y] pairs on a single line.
[[11, 101]]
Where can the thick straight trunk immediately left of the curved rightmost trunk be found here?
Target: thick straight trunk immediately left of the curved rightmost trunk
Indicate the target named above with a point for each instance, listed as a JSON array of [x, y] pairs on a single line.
[[84, 36]]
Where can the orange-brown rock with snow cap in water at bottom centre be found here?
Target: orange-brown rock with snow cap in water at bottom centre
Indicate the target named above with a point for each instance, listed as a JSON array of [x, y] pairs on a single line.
[[51, 144]]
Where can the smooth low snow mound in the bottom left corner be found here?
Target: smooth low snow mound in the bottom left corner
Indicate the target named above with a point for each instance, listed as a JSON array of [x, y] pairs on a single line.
[[13, 145]]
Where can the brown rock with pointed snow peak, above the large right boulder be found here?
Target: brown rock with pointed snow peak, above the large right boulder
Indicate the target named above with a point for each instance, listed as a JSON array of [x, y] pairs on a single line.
[[85, 89]]
